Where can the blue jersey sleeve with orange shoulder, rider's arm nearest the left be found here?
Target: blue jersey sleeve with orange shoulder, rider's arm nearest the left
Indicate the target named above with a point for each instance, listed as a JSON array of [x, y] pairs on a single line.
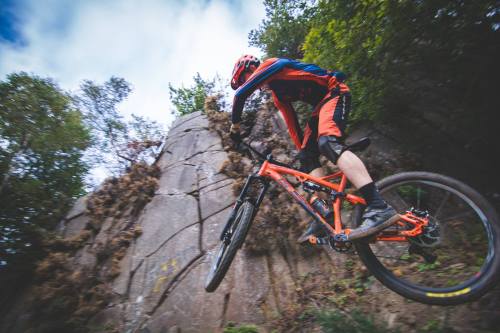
[[258, 78]]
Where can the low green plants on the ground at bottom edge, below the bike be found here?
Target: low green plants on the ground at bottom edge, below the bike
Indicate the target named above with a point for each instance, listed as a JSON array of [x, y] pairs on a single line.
[[333, 321]]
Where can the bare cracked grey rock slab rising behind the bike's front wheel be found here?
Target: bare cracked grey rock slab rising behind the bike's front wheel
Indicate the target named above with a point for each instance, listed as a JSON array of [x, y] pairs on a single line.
[[162, 280]]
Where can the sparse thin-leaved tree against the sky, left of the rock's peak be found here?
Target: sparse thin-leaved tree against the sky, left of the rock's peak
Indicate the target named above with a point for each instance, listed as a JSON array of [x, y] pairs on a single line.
[[117, 143]]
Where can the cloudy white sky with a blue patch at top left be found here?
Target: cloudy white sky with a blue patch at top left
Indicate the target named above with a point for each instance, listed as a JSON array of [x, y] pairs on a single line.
[[150, 43]]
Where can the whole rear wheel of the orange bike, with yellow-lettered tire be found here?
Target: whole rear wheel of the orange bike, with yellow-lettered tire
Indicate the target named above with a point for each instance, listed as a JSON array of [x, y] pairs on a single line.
[[455, 260]]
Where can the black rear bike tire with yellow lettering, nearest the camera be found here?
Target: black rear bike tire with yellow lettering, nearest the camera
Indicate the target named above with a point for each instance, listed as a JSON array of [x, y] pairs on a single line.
[[467, 291]]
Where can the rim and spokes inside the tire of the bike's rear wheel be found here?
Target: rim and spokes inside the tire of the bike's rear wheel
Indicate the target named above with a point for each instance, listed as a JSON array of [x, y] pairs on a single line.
[[464, 252]]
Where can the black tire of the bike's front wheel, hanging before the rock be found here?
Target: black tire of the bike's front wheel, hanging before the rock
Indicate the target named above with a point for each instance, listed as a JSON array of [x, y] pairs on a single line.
[[226, 252]]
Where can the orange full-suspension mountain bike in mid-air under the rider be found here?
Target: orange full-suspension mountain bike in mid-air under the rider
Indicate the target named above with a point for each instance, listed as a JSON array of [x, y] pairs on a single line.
[[443, 249]]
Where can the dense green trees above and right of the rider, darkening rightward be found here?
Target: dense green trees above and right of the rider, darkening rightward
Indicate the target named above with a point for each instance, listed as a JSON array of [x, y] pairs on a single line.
[[420, 64]]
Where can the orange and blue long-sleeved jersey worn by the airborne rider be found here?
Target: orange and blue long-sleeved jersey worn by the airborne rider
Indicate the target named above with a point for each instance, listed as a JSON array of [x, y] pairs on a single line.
[[289, 81]]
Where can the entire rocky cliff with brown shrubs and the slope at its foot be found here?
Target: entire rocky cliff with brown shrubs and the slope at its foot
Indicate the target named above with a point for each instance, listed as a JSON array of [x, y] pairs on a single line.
[[148, 262]]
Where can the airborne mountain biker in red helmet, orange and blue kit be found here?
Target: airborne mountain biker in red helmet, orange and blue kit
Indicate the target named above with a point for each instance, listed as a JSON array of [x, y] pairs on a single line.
[[290, 81]]
